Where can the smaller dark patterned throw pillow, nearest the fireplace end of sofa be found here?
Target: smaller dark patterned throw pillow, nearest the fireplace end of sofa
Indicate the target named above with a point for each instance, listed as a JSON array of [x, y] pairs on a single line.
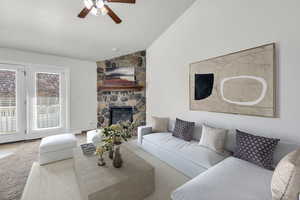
[[183, 129]]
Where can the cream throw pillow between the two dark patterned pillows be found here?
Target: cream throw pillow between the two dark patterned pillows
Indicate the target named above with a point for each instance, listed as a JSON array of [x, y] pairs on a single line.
[[213, 138]]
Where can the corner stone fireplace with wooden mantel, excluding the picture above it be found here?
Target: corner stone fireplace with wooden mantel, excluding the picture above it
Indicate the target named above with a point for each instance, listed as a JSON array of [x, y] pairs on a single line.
[[113, 101]]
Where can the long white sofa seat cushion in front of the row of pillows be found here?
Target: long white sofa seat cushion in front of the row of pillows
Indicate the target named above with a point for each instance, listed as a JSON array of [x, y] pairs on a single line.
[[190, 151]]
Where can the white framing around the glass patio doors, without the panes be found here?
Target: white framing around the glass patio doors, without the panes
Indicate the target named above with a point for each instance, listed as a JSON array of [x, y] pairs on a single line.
[[24, 131]]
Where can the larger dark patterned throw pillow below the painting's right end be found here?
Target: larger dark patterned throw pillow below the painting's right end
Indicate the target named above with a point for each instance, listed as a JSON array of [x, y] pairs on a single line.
[[255, 149]]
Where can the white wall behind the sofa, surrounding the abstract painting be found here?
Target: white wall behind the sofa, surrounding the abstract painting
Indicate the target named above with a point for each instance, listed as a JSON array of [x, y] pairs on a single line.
[[212, 28]]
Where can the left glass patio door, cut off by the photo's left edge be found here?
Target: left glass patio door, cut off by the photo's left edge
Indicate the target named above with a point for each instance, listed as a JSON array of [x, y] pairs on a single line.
[[12, 103]]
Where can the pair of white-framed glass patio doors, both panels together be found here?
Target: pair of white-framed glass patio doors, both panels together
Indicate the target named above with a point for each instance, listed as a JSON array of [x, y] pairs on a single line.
[[33, 102]]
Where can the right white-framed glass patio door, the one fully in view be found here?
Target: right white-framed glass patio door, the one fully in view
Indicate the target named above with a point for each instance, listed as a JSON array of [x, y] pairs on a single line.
[[47, 110]]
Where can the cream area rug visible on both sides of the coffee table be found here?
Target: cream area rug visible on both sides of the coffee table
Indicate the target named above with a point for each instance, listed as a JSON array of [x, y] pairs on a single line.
[[57, 181]]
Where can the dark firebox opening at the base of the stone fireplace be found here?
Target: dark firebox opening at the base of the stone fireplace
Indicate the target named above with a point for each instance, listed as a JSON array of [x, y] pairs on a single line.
[[120, 114]]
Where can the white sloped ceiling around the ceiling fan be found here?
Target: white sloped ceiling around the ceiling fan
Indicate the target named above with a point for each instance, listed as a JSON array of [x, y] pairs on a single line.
[[52, 27]]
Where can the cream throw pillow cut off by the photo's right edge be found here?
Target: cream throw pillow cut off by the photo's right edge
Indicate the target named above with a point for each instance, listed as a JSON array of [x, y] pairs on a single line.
[[285, 183]]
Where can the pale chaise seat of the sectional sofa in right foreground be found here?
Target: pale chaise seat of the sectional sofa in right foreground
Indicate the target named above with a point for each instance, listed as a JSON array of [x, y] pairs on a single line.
[[232, 179]]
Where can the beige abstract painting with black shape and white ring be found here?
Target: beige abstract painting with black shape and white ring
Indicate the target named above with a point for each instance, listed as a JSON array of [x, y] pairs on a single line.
[[238, 83]]
